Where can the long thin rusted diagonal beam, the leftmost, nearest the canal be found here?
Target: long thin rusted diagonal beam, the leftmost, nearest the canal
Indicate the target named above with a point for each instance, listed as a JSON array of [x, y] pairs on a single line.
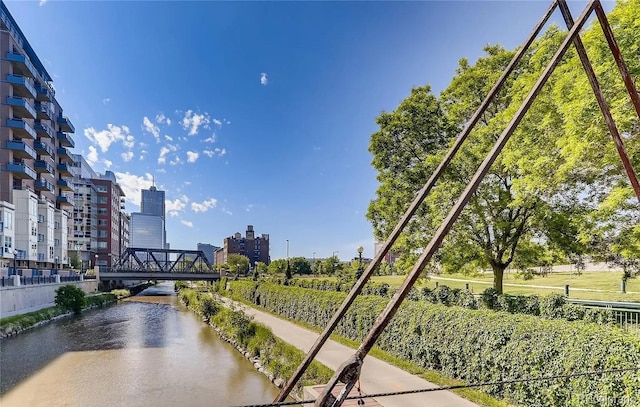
[[422, 194]]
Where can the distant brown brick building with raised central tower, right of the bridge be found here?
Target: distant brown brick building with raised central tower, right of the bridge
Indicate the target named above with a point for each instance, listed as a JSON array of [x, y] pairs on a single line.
[[255, 248]]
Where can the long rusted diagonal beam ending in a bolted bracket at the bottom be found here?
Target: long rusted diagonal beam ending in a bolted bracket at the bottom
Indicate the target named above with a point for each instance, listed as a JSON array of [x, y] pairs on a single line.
[[326, 399]]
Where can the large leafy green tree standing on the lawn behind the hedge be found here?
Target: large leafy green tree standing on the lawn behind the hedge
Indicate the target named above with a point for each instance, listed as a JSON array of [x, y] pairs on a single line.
[[534, 196]]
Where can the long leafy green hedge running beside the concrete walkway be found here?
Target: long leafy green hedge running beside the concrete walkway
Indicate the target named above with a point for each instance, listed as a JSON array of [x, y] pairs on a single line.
[[480, 345]]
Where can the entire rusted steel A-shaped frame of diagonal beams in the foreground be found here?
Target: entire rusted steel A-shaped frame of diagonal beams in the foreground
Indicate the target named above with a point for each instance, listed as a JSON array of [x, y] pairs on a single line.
[[349, 372]]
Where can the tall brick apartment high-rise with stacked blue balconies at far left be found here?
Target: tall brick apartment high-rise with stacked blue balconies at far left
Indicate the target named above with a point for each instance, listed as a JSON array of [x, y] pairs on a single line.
[[35, 188]]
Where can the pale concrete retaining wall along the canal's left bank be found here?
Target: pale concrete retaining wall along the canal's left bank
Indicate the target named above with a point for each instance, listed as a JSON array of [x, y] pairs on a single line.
[[28, 298]]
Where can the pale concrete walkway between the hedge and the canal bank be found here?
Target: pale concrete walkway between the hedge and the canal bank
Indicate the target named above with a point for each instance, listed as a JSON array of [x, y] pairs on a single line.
[[376, 376]]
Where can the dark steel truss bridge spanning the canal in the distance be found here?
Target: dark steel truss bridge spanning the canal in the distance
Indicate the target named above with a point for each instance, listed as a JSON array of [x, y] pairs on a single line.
[[161, 261]]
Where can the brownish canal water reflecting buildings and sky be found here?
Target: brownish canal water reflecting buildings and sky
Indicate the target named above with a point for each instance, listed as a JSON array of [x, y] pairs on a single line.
[[146, 351]]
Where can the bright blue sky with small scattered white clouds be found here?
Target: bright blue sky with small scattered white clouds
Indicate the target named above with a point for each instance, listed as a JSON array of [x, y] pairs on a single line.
[[254, 112]]
